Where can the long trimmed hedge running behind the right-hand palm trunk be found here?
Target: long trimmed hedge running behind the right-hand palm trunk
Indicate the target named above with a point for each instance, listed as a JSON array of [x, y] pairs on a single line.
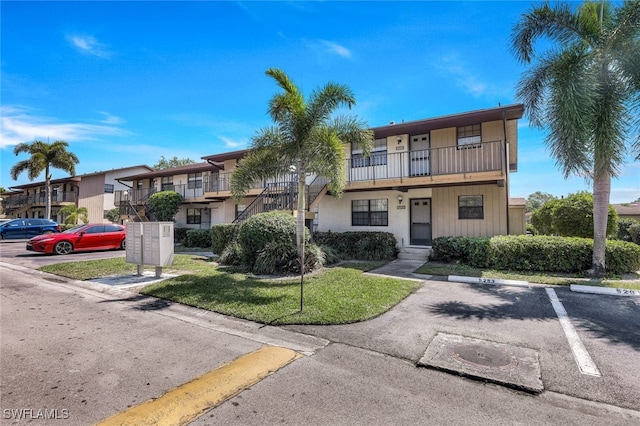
[[535, 253]]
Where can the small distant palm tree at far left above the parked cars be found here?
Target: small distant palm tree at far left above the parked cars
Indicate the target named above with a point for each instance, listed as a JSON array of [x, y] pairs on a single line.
[[44, 156]]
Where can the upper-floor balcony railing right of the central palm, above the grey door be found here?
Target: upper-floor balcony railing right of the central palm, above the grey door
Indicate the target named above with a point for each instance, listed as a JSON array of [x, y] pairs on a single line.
[[488, 156]]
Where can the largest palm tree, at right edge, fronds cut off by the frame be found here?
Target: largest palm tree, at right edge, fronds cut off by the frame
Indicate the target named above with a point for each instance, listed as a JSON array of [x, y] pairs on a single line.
[[586, 90]]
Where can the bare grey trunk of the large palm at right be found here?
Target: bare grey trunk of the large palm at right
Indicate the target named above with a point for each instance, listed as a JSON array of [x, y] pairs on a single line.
[[601, 192]]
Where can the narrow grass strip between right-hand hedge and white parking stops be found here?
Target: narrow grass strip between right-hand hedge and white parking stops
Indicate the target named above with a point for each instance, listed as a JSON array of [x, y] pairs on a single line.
[[435, 268]]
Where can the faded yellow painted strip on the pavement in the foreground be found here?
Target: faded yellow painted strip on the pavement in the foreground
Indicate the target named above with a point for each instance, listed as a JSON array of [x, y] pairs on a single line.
[[187, 402]]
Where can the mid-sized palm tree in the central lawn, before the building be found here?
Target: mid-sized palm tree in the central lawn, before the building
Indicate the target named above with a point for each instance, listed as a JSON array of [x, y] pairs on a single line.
[[305, 139]]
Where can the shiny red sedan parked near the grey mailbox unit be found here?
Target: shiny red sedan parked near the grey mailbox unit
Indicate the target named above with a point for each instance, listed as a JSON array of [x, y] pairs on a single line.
[[92, 236]]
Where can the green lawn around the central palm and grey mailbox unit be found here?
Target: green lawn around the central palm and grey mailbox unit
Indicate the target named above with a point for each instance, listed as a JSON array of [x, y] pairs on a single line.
[[337, 295]]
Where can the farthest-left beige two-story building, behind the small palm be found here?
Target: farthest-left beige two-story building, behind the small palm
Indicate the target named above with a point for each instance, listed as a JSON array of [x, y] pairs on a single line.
[[94, 191]]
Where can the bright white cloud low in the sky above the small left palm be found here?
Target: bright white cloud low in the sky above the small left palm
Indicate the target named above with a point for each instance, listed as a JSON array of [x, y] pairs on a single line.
[[20, 125]]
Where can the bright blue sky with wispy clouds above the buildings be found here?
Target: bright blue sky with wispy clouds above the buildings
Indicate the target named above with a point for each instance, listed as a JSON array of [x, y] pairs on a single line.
[[125, 83]]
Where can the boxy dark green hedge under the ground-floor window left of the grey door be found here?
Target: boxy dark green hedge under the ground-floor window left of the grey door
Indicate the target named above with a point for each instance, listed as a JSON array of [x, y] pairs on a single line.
[[359, 245]]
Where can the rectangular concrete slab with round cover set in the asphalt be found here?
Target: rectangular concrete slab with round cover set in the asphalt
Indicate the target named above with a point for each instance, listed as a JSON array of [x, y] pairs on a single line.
[[507, 365]]
